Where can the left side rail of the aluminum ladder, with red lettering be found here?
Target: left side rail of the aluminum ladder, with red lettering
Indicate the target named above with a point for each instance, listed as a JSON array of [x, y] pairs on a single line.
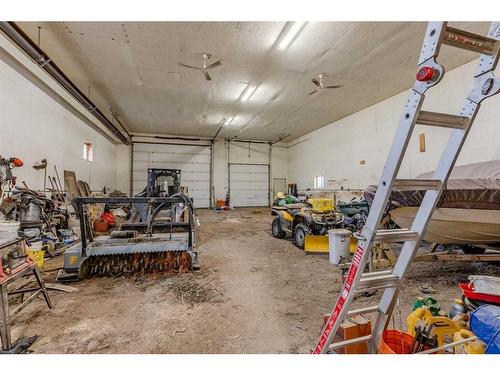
[[404, 131]]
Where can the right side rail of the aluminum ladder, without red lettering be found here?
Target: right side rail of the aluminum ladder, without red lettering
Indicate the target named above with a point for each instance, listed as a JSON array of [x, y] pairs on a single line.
[[485, 86]]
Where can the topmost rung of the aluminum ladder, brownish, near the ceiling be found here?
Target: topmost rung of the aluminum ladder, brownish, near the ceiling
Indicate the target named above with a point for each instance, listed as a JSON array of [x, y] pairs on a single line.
[[470, 41]]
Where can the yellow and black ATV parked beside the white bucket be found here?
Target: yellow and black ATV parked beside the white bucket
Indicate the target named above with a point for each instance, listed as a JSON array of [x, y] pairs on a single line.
[[316, 218]]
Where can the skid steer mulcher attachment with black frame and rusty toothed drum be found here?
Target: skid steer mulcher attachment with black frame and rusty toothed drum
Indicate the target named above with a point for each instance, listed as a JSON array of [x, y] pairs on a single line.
[[128, 251]]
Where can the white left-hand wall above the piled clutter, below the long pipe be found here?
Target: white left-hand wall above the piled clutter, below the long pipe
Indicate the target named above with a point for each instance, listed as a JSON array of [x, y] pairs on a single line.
[[33, 126]]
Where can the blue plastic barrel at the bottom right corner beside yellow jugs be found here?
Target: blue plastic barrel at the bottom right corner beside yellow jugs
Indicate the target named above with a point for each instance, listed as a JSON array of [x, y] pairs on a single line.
[[485, 324]]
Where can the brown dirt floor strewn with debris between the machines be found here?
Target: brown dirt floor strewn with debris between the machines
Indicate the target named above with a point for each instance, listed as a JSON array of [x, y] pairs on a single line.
[[252, 294]]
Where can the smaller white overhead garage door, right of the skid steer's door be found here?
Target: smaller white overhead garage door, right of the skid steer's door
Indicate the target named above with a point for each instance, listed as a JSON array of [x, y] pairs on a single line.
[[249, 185]]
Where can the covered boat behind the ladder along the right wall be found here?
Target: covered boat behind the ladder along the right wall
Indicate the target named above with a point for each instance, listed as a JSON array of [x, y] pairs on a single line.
[[468, 212]]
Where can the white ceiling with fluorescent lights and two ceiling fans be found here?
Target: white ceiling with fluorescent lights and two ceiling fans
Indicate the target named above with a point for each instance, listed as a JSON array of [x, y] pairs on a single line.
[[132, 67]]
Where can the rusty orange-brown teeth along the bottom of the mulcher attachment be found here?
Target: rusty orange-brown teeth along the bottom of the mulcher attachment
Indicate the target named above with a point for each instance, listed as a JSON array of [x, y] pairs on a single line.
[[166, 263]]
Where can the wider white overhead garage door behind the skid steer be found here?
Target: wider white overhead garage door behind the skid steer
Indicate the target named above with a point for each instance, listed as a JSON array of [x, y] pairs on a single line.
[[192, 160]]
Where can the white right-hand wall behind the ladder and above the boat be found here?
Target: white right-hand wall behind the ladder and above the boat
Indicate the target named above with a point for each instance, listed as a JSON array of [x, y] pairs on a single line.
[[335, 150]]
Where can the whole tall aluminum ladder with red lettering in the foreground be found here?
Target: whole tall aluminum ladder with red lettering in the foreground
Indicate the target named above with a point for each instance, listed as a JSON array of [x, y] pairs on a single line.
[[429, 73]]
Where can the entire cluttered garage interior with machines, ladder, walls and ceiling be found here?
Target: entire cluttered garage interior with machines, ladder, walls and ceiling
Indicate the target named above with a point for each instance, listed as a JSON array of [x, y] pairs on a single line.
[[230, 187]]
